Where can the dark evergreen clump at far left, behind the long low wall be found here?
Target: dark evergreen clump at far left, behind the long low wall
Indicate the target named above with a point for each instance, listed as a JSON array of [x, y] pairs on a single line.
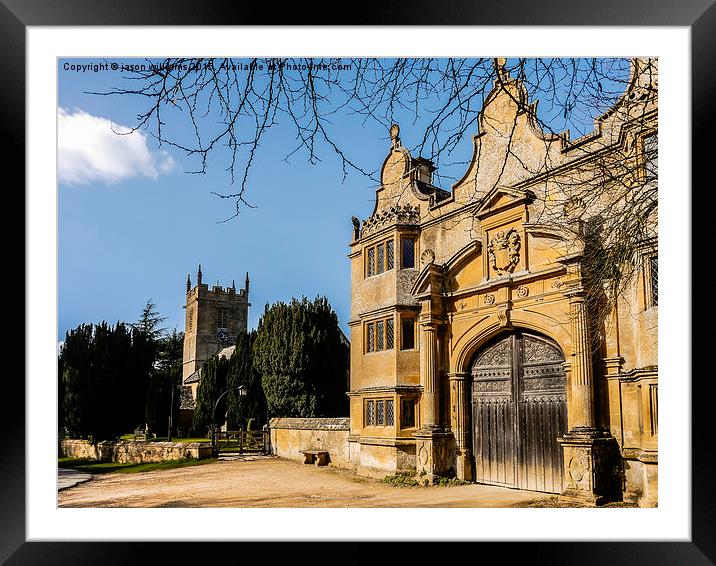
[[110, 375]]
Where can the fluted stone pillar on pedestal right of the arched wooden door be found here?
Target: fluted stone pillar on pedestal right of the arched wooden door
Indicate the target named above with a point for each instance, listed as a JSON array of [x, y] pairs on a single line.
[[586, 449]]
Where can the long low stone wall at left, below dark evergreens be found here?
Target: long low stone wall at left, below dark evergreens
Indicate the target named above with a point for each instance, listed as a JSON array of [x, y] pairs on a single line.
[[128, 452]]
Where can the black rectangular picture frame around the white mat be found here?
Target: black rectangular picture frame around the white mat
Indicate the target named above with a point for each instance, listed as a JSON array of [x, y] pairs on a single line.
[[17, 15]]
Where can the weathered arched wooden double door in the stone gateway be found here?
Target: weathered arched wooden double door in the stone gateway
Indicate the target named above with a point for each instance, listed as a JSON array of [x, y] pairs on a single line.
[[519, 409]]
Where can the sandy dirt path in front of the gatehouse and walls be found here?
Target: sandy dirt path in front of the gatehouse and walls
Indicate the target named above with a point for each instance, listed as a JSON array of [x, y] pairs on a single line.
[[273, 482]]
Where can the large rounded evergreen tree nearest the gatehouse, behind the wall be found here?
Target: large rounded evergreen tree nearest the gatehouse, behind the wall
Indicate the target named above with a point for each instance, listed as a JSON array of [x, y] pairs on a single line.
[[302, 359]]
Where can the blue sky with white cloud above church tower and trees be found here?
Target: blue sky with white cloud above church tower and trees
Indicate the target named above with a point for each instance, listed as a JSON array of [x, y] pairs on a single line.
[[133, 223]]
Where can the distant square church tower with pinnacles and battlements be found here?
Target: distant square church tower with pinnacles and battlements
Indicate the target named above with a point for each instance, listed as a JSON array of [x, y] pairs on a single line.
[[214, 318]]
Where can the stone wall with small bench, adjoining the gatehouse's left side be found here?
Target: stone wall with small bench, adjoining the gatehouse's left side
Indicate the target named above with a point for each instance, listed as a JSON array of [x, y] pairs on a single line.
[[291, 435]]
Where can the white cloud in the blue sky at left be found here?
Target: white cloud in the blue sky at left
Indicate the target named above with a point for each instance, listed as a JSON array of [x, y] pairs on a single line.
[[89, 150]]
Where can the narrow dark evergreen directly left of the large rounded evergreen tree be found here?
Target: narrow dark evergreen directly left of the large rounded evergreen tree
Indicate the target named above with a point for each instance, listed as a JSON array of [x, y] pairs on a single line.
[[241, 372]]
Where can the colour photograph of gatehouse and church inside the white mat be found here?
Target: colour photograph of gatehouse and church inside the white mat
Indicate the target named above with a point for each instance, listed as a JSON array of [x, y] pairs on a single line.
[[358, 282]]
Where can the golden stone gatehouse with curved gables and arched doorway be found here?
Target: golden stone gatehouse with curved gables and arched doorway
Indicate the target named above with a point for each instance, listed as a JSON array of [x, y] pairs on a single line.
[[472, 348]]
